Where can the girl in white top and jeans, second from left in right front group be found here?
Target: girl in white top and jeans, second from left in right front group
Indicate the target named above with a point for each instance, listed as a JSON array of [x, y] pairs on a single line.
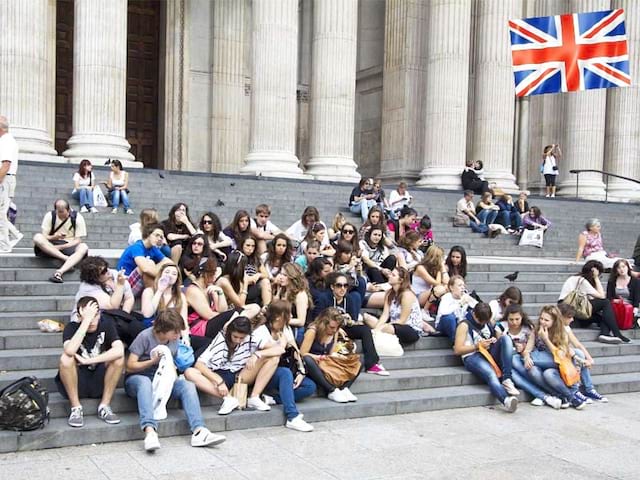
[[516, 325]]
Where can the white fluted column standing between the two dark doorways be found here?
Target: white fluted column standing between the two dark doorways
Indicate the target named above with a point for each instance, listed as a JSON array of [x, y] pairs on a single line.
[[99, 82]]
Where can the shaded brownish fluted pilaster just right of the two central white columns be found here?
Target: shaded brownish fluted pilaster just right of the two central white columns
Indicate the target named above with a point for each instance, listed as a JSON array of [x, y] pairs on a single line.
[[404, 77]]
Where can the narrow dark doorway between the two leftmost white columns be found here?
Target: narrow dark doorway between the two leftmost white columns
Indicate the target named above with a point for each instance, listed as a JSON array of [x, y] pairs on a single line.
[[64, 74]]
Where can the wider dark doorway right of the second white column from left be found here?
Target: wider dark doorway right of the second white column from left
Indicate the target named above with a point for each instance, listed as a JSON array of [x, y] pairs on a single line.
[[143, 47]]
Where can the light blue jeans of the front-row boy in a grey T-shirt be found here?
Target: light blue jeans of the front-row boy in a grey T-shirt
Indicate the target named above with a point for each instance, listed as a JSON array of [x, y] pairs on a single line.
[[140, 387]]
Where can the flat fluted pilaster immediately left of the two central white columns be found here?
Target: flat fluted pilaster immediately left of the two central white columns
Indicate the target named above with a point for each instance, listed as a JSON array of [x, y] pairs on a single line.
[[227, 85]]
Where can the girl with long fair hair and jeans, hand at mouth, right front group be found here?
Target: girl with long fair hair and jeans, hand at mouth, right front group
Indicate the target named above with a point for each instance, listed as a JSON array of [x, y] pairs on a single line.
[[549, 336]]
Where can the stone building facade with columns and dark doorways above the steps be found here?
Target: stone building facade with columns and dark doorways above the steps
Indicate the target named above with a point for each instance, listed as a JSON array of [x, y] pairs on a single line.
[[326, 89]]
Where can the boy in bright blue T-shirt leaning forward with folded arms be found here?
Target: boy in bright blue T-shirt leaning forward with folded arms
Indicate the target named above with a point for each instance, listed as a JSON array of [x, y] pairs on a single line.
[[143, 260]]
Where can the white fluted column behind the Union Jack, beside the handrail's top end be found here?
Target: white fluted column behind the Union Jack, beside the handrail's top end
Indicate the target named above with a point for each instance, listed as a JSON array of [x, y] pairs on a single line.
[[583, 146]]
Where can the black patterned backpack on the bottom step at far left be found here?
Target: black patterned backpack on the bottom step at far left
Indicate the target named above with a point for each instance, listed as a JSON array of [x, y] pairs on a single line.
[[24, 405]]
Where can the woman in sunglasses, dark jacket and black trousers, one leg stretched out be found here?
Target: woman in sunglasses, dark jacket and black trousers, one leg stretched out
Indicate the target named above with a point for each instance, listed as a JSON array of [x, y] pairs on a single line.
[[349, 304]]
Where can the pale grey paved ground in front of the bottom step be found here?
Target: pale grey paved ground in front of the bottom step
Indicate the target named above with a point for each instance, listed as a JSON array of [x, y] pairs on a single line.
[[600, 442]]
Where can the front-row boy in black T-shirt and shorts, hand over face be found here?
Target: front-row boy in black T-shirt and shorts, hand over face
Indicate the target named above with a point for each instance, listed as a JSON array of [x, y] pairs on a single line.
[[91, 363]]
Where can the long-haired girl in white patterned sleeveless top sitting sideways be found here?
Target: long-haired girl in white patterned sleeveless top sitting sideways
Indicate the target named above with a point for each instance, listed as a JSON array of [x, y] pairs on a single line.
[[401, 315]]
